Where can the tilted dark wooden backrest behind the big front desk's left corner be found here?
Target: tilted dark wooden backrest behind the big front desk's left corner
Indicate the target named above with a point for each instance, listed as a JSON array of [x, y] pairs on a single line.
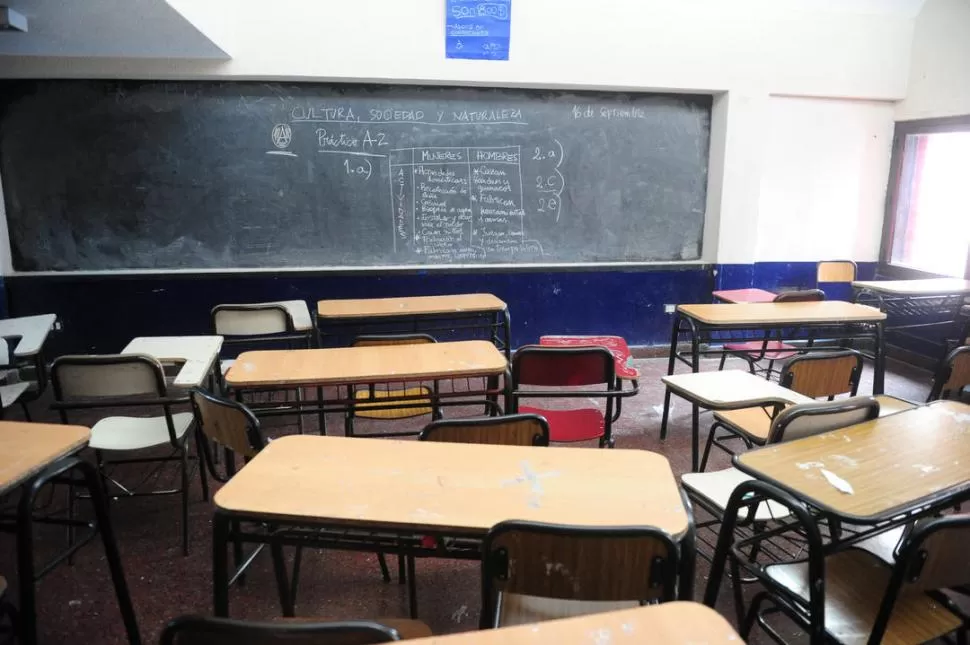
[[229, 423]]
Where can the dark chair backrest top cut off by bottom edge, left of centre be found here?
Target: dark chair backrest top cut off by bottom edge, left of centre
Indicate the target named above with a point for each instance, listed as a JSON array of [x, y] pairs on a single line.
[[198, 630]]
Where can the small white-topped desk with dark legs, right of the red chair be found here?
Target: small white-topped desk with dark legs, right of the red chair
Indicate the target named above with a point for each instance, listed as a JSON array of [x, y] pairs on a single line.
[[723, 390]]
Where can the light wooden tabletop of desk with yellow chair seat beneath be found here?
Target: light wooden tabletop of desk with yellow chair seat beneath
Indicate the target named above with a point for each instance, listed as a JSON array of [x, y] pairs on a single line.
[[377, 364]]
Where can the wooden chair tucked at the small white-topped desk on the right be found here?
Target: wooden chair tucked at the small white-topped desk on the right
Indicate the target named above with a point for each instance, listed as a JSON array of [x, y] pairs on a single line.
[[819, 375]]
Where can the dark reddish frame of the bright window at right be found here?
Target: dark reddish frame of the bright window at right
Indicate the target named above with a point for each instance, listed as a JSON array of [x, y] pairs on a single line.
[[902, 130]]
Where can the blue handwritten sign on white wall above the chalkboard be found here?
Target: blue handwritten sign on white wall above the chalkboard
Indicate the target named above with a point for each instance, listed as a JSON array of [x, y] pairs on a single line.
[[478, 29]]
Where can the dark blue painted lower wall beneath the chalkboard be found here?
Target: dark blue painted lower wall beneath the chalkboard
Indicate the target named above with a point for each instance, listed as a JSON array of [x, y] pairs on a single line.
[[102, 313]]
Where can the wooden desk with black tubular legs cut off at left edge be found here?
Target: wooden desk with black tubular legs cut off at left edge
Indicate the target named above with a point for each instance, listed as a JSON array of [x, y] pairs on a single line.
[[31, 455]]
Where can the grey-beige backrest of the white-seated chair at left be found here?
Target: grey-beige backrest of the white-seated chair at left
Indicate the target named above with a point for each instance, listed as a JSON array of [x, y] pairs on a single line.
[[114, 376]]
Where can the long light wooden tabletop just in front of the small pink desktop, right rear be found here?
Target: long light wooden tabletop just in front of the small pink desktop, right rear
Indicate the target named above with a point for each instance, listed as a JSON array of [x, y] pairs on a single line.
[[793, 313]]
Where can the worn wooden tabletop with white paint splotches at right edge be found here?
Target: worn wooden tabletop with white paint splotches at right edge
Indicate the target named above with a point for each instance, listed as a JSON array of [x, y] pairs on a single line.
[[892, 463]]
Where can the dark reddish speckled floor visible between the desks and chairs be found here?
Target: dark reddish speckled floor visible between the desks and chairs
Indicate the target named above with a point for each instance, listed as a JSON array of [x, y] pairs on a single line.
[[76, 602]]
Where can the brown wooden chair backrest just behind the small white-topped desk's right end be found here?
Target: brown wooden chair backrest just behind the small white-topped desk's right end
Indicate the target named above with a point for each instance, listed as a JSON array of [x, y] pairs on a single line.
[[823, 374]]
